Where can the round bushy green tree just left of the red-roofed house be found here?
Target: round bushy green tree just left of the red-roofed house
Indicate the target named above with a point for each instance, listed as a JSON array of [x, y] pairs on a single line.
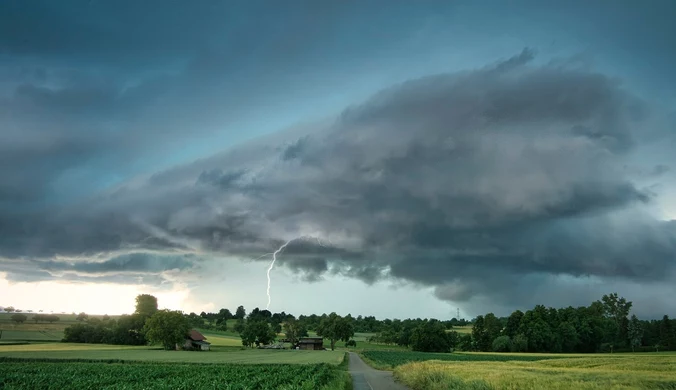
[[166, 327]]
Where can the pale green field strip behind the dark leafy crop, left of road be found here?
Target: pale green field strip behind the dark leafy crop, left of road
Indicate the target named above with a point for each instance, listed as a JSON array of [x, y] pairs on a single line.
[[131, 353]]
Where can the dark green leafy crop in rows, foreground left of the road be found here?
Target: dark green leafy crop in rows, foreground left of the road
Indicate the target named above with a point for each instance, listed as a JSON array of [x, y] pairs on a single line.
[[55, 375]]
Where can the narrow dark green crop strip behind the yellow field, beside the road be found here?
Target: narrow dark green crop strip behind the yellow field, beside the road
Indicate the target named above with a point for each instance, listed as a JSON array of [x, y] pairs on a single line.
[[397, 358]]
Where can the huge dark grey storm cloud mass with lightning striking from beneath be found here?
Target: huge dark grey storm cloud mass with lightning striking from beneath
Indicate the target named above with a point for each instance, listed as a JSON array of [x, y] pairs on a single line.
[[484, 184]]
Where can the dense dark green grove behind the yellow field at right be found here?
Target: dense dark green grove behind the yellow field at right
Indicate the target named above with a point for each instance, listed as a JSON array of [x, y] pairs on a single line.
[[603, 326]]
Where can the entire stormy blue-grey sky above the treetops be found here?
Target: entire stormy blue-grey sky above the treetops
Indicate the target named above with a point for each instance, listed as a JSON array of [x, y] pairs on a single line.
[[417, 158]]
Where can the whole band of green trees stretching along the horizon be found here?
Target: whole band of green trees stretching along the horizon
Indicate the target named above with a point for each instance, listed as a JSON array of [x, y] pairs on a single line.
[[603, 326]]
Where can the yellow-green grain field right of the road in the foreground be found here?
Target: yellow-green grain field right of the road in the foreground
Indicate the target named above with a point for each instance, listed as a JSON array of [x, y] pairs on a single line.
[[585, 372]]
